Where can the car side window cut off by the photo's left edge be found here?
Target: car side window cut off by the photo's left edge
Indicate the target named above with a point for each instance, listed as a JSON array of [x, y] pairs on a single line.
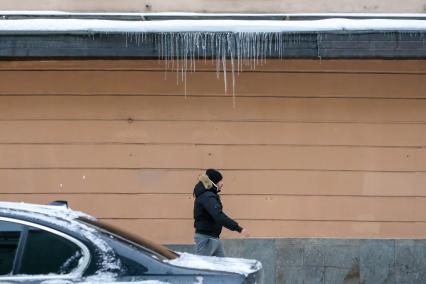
[[9, 240]]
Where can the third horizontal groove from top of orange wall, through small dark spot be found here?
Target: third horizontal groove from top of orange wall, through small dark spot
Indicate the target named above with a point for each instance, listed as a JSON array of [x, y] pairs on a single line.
[[131, 120]]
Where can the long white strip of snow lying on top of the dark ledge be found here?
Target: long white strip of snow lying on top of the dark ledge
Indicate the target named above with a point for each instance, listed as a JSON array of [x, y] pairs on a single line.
[[235, 26]]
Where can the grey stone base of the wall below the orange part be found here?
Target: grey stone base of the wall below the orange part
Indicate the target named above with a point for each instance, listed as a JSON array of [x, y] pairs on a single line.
[[333, 260]]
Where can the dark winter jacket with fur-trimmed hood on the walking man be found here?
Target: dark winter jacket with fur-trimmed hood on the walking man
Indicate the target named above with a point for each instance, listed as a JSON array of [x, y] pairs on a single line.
[[208, 215]]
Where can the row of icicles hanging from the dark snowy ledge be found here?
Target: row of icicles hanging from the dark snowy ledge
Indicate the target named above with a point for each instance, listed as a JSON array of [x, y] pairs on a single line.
[[240, 50]]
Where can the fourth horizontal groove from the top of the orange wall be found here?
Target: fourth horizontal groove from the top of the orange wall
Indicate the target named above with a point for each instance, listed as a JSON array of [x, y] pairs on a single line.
[[210, 144]]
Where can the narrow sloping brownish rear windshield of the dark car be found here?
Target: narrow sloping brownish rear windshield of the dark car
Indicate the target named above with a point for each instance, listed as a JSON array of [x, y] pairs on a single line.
[[131, 238]]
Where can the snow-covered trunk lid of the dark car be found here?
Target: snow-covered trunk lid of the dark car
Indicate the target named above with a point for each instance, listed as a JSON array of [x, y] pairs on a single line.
[[226, 264]]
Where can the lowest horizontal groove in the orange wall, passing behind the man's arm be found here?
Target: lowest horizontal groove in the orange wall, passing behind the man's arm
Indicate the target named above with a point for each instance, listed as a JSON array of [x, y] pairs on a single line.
[[273, 220]]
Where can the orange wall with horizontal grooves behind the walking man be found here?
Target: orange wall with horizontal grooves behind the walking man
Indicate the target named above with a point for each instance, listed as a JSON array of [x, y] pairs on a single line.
[[310, 148]]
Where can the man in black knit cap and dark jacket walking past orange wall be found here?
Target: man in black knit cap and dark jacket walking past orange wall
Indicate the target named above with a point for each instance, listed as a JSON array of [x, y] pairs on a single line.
[[209, 217]]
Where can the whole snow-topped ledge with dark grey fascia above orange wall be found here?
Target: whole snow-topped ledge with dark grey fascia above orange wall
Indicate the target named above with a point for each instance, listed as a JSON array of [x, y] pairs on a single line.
[[50, 34]]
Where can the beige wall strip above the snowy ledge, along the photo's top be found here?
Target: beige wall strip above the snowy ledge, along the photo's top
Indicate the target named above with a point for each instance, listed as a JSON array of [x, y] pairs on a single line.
[[239, 6]]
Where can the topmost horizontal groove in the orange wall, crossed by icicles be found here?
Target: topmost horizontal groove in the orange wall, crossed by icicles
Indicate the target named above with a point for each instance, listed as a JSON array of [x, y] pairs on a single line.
[[173, 71]]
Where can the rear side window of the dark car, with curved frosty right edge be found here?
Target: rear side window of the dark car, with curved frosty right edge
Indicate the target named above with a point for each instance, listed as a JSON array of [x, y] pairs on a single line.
[[48, 253]]
